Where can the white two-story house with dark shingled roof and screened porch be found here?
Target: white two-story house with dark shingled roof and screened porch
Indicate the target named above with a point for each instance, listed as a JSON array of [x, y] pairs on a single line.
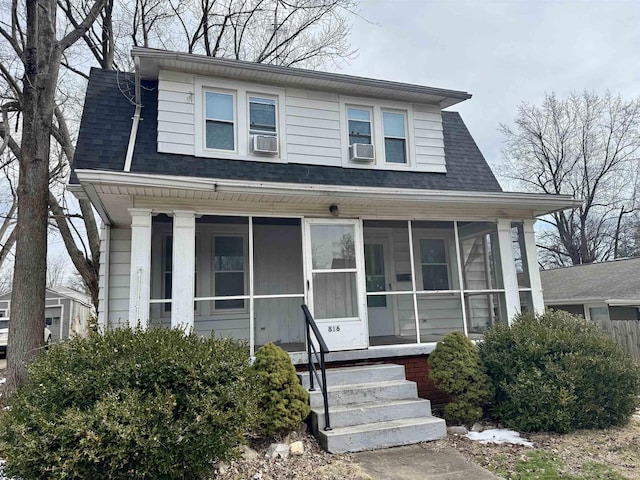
[[232, 193]]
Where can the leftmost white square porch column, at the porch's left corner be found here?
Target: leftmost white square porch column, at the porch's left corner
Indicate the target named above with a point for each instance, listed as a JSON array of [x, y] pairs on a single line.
[[140, 276]]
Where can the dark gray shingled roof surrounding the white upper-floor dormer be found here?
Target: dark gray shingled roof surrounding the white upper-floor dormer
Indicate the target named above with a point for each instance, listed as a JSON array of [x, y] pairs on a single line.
[[106, 124]]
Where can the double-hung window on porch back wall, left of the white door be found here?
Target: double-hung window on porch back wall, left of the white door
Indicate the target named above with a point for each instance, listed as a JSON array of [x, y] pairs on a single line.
[[229, 271]]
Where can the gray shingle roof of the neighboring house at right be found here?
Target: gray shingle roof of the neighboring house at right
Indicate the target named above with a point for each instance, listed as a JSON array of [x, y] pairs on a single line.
[[614, 280]]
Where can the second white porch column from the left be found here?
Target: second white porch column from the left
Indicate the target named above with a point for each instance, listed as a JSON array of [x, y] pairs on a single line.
[[184, 265]]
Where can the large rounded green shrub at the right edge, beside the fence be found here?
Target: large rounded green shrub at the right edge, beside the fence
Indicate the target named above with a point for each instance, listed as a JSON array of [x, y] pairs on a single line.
[[558, 372]]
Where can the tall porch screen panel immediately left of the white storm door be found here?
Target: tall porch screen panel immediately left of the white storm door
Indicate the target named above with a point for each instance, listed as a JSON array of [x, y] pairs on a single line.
[[278, 283]]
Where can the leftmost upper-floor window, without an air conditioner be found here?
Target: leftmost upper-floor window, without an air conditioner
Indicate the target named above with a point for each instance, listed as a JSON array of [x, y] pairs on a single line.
[[220, 121]]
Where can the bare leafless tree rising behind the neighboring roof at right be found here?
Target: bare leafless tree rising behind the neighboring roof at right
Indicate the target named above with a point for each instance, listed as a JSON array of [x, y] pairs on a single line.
[[587, 146]]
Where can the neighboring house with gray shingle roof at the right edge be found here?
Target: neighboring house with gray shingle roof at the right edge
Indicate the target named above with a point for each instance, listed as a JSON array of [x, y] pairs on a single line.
[[597, 291]]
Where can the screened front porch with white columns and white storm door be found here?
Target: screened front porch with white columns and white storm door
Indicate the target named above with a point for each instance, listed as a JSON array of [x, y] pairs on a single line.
[[369, 283]]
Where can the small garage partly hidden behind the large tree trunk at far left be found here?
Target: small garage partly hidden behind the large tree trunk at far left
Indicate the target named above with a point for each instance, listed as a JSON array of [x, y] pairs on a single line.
[[67, 313]]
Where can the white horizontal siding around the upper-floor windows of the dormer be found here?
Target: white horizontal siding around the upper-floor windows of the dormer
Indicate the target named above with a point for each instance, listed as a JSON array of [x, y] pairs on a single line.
[[312, 126]]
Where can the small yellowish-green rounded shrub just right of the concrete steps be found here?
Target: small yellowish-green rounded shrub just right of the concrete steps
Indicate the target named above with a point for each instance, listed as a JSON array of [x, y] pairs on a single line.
[[455, 368]]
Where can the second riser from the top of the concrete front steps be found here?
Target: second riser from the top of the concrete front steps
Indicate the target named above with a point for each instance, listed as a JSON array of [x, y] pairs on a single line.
[[363, 395]]
